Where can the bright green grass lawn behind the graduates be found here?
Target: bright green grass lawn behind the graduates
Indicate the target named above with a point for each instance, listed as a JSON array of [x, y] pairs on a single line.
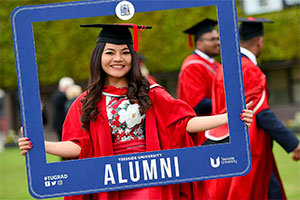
[[13, 180]]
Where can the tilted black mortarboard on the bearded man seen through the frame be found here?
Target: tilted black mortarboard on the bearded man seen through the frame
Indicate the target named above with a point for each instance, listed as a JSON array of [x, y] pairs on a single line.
[[204, 26]]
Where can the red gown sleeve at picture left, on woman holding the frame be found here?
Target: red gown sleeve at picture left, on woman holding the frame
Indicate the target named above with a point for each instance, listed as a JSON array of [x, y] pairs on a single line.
[[72, 130]]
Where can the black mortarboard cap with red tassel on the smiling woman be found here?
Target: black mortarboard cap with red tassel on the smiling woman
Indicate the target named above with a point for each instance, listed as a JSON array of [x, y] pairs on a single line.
[[118, 33]]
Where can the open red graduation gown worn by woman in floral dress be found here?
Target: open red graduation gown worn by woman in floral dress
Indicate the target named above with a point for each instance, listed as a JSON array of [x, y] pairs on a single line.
[[165, 129]]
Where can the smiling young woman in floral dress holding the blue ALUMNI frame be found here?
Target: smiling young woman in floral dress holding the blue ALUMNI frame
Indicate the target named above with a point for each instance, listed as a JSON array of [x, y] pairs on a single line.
[[121, 113]]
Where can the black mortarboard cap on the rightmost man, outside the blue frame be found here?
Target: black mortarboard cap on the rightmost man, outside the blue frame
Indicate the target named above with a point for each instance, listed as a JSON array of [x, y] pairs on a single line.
[[252, 27]]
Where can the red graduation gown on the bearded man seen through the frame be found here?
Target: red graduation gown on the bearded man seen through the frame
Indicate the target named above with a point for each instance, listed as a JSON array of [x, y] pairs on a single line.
[[195, 83]]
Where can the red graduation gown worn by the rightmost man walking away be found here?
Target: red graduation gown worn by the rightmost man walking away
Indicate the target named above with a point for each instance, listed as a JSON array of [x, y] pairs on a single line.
[[255, 184]]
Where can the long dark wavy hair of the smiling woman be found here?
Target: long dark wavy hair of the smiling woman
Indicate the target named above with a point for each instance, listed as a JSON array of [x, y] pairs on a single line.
[[137, 92]]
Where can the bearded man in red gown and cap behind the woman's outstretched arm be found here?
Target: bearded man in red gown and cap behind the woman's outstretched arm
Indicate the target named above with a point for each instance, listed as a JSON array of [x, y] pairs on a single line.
[[197, 71]]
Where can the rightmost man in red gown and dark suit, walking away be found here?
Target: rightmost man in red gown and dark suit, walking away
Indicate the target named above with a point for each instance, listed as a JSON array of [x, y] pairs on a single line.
[[263, 181]]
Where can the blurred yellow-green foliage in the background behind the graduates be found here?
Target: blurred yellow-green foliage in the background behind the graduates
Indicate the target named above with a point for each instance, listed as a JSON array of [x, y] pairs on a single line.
[[63, 48]]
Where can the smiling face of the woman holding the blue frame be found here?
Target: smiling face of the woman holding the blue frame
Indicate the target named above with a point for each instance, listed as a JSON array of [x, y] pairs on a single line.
[[116, 62]]
